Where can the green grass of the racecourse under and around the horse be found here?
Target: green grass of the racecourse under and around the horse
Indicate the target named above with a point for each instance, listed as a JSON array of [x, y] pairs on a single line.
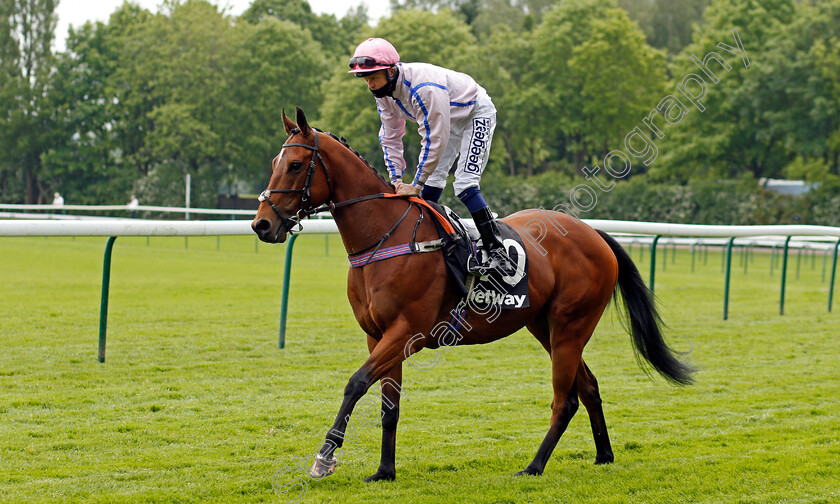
[[195, 403]]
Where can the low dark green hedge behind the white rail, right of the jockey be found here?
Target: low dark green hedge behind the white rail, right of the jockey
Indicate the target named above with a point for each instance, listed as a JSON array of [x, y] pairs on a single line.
[[718, 202]]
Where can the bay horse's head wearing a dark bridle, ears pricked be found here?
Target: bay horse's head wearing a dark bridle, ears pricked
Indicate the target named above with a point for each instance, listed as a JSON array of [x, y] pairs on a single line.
[[296, 187]]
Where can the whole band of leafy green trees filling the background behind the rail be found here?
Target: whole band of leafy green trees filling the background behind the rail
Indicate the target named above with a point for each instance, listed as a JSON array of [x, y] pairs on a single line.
[[139, 101]]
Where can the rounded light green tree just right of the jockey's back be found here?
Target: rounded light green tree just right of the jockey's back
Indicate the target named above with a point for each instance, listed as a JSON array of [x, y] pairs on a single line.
[[593, 76]]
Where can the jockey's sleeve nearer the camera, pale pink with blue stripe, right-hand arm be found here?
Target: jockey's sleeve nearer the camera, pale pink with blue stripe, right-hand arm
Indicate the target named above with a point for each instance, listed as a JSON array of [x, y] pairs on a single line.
[[433, 100]]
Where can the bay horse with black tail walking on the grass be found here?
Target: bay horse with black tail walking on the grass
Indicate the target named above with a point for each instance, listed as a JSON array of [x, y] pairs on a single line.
[[573, 272]]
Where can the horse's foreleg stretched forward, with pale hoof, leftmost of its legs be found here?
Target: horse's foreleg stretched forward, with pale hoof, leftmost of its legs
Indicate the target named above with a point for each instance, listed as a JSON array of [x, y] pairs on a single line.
[[387, 354]]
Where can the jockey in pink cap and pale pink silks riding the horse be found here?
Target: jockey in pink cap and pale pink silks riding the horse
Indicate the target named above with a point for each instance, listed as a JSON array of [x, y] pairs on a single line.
[[456, 118]]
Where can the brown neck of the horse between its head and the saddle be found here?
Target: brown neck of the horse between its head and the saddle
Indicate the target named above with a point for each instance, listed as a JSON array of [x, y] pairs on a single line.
[[364, 223]]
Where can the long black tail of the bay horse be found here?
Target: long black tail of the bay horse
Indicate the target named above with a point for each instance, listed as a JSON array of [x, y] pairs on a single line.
[[644, 319]]
